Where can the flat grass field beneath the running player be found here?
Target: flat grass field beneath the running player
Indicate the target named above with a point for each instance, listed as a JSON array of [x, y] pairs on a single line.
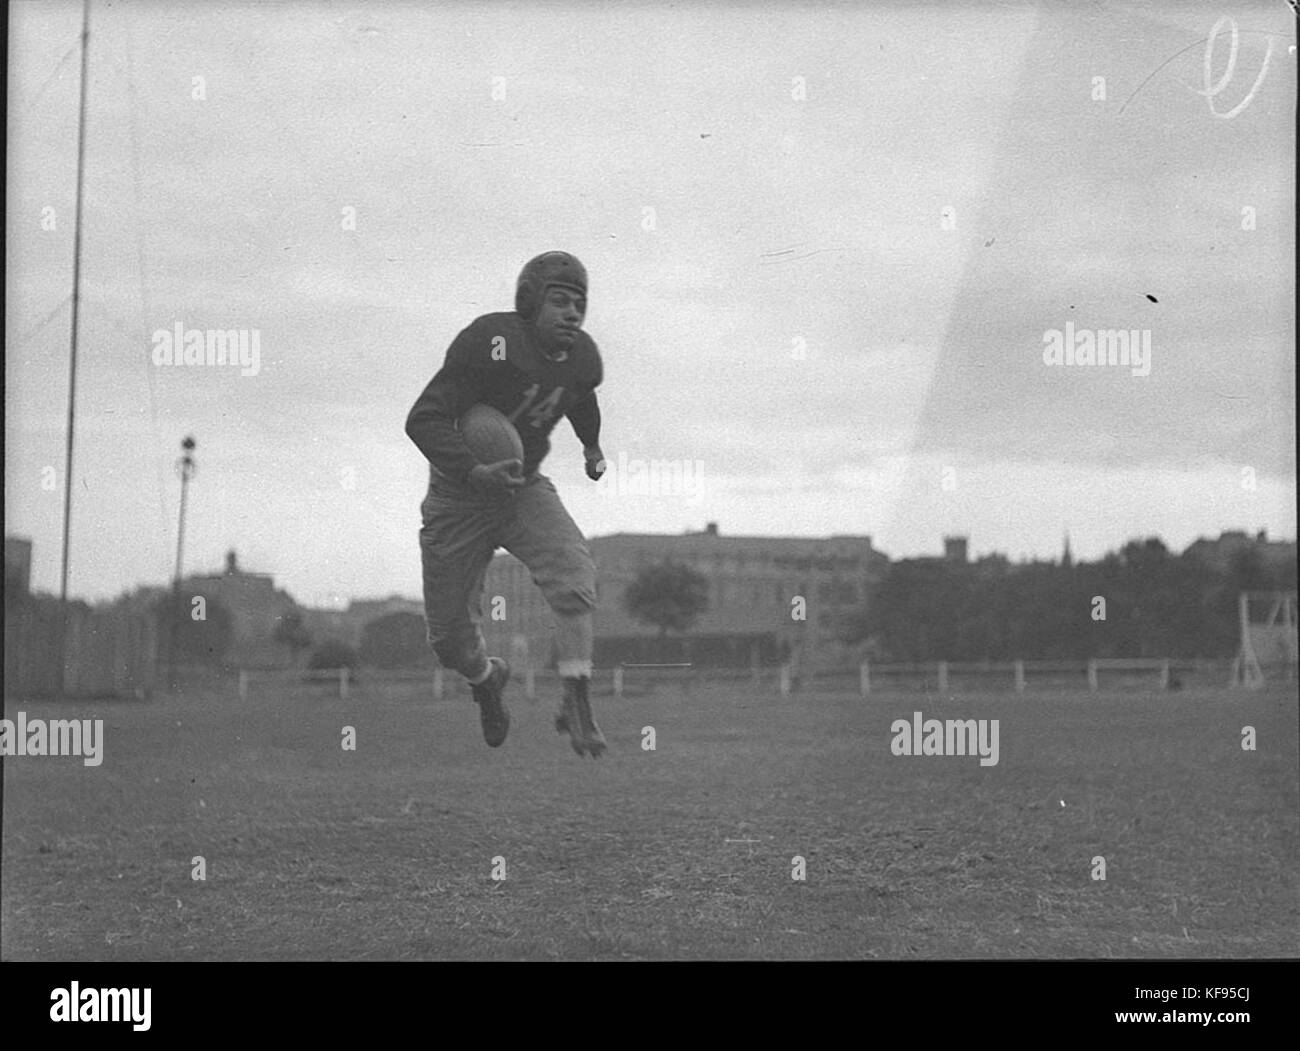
[[683, 853]]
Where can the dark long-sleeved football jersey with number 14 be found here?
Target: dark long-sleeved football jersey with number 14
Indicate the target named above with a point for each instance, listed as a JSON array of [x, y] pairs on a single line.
[[499, 362]]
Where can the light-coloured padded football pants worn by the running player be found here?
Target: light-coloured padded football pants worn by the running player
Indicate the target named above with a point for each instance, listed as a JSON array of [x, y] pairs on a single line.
[[463, 526]]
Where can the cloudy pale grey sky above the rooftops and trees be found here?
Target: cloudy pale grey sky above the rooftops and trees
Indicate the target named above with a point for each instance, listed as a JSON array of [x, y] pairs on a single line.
[[827, 252]]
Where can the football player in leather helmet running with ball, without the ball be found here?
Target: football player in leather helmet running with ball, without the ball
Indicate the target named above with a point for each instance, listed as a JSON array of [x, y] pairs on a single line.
[[536, 366]]
